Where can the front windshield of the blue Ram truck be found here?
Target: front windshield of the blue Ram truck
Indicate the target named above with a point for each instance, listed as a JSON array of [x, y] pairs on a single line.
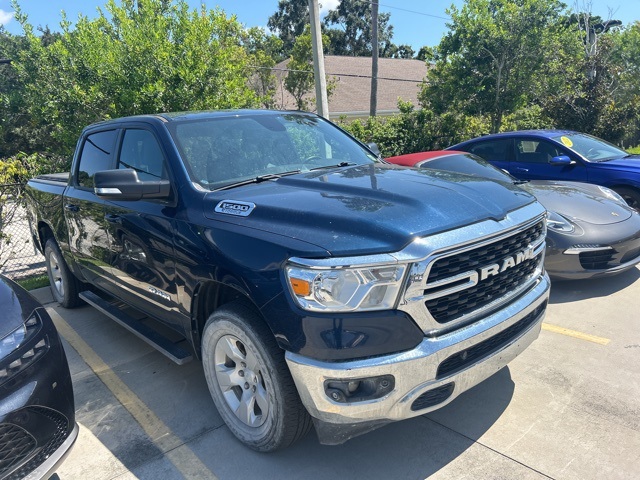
[[224, 151]]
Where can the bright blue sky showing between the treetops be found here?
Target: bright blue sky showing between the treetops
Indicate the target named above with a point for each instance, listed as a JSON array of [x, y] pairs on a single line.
[[415, 22]]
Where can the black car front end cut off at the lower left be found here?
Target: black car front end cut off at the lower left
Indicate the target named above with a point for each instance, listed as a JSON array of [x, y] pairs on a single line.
[[37, 413]]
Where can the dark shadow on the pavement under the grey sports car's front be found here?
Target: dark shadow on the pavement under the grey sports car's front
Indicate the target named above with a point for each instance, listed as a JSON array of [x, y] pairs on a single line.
[[576, 290]]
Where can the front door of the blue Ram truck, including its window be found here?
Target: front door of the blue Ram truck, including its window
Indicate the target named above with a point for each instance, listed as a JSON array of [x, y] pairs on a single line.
[[141, 233]]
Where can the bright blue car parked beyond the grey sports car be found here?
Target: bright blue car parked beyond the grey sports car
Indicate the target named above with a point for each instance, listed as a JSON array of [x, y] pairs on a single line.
[[561, 155]]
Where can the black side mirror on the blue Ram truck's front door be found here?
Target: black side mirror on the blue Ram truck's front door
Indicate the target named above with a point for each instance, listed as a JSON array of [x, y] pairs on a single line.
[[125, 185]]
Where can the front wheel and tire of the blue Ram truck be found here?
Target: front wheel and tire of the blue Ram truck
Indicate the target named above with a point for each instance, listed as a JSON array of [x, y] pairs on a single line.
[[249, 380]]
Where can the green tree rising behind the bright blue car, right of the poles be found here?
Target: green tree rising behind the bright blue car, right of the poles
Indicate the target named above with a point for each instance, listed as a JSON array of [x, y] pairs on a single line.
[[488, 62]]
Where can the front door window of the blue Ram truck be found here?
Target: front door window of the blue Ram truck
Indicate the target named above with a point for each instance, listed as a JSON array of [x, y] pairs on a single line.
[[141, 152]]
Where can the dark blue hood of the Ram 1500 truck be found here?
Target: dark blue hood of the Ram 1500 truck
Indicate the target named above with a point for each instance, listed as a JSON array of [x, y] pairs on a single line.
[[367, 209]]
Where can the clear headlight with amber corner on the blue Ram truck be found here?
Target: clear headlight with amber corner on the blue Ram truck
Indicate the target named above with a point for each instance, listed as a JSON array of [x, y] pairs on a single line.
[[345, 288]]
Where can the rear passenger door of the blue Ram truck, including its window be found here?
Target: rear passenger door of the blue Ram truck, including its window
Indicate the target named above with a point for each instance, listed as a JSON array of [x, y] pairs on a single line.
[[84, 211]]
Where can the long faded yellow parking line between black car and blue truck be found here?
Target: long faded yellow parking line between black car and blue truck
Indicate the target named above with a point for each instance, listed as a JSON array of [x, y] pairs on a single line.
[[184, 460]]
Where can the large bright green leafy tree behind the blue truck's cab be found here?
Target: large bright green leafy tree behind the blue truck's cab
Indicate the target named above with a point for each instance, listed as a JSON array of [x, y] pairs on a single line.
[[142, 56]]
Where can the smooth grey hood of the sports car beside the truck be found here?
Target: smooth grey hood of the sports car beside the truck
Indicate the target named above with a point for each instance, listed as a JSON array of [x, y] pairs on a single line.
[[578, 201]]
